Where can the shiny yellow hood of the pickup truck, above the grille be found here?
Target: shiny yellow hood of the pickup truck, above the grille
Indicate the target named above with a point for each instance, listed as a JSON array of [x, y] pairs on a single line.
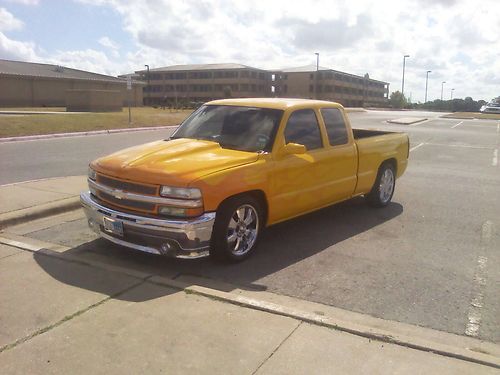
[[175, 162]]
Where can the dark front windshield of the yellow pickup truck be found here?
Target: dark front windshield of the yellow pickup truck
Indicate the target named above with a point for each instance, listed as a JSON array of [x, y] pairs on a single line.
[[238, 128]]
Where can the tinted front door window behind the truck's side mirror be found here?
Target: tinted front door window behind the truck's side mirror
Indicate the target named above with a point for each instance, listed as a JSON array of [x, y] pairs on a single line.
[[302, 128]]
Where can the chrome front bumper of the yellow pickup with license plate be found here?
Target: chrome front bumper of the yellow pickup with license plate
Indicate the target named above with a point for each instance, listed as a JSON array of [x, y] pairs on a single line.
[[188, 238]]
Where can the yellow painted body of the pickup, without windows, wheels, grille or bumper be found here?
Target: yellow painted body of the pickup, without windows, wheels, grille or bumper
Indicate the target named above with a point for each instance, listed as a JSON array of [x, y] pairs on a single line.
[[293, 184]]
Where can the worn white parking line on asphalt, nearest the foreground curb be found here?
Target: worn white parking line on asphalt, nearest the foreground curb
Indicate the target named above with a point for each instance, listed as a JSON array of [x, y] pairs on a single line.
[[474, 316]]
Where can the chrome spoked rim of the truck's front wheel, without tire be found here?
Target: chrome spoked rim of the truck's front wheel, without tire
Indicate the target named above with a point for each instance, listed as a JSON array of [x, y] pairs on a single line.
[[242, 230]]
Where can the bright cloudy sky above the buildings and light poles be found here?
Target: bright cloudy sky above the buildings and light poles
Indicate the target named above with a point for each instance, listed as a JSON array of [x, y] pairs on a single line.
[[458, 40]]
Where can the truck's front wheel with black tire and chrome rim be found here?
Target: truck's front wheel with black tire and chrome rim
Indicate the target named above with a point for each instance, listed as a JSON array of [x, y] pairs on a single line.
[[237, 228]]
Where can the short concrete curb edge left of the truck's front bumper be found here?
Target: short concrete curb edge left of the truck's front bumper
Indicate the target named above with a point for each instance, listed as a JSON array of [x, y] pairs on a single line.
[[31, 213]]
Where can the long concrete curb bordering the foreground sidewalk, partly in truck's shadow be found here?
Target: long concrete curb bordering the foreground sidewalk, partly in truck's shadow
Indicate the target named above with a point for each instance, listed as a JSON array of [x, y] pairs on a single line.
[[373, 332]]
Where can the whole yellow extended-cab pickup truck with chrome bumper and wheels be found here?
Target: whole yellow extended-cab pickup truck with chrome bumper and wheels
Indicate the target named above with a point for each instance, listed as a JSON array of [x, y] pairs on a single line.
[[234, 167]]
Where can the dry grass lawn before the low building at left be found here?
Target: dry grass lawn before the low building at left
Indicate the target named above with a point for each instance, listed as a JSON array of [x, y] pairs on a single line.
[[20, 125]]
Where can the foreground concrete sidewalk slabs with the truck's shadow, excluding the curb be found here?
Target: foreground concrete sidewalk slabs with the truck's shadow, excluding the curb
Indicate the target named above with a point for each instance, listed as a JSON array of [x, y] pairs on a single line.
[[61, 316]]
